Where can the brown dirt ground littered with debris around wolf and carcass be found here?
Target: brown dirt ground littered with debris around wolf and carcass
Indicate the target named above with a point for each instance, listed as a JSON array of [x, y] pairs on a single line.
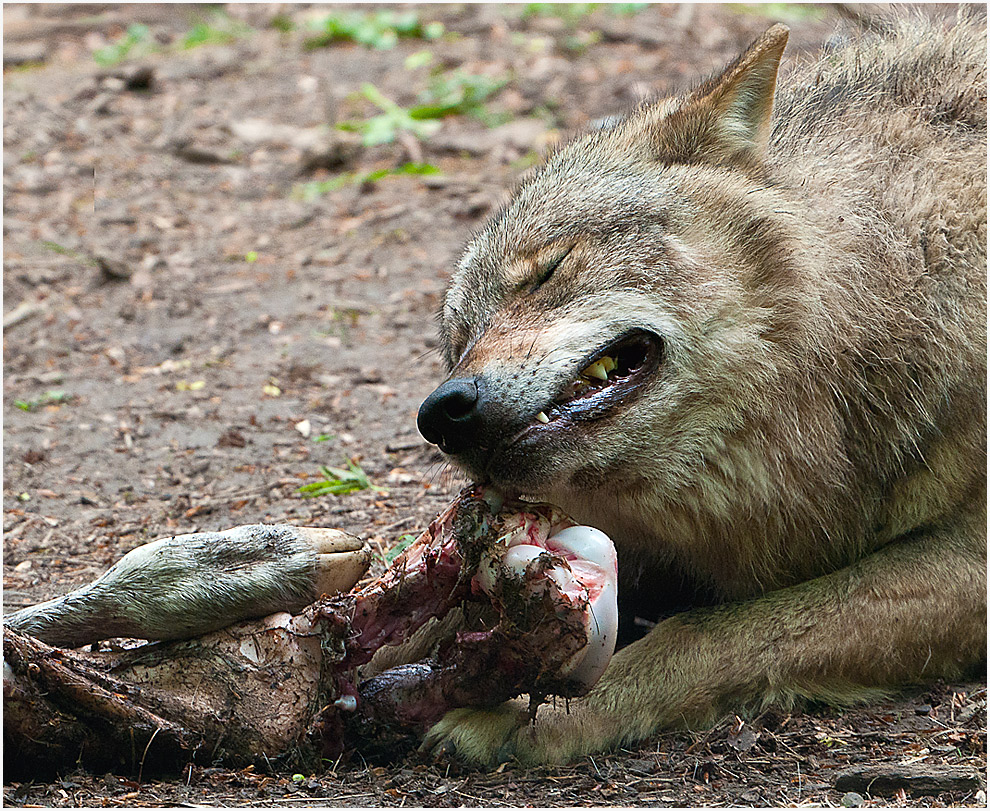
[[209, 294]]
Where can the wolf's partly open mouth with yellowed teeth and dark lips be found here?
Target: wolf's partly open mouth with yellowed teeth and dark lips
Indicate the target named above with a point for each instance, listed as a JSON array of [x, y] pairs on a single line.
[[609, 378]]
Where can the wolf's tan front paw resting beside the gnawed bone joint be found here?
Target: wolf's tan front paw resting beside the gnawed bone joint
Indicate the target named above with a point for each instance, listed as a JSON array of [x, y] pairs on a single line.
[[488, 737]]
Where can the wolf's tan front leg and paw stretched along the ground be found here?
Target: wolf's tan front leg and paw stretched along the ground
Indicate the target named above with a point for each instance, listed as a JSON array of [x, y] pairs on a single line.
[[913, 610]]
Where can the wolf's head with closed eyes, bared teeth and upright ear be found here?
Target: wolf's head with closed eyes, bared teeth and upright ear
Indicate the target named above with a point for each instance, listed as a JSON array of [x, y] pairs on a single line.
[[607, 327]]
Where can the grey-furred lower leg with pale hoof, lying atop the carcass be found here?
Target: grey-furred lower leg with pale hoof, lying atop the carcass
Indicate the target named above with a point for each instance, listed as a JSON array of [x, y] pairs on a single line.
[[188, 585]]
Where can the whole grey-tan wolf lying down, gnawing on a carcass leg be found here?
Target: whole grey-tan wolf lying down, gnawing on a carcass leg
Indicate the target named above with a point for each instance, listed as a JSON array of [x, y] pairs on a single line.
[[743, 332]]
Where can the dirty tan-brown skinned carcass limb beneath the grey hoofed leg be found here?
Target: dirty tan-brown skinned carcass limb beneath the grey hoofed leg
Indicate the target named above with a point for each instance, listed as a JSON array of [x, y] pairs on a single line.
[[245, 693]]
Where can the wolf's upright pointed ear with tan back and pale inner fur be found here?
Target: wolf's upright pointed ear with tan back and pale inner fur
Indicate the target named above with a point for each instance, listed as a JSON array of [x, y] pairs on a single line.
[[727, 119]]
